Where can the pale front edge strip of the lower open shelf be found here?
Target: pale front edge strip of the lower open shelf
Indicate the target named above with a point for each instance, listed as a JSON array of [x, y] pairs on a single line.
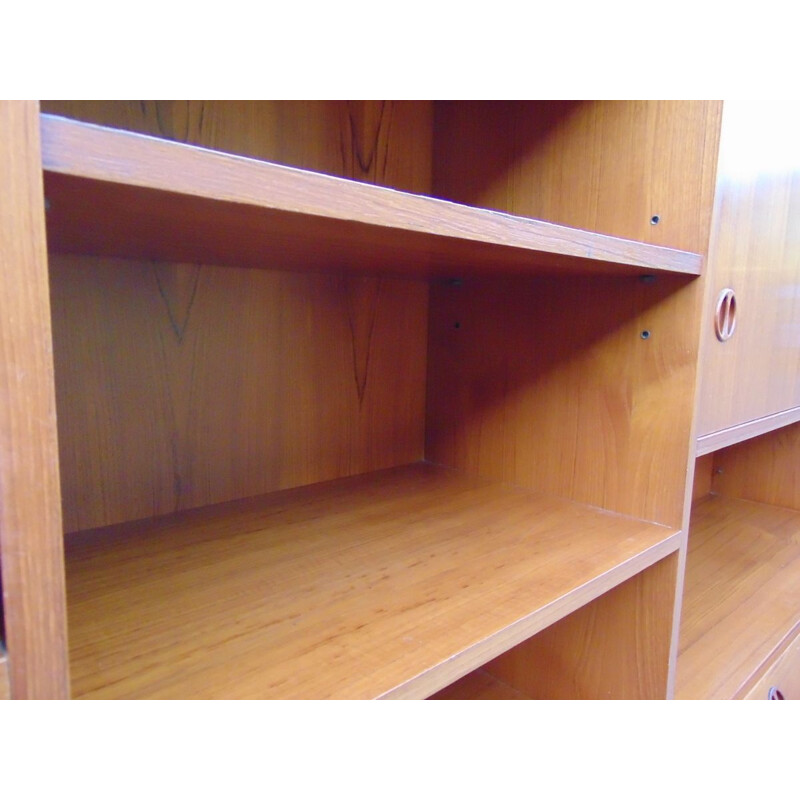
[[465, 662]]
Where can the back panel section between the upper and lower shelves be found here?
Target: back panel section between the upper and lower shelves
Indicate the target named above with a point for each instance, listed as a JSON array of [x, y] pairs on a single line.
[[183, 385]]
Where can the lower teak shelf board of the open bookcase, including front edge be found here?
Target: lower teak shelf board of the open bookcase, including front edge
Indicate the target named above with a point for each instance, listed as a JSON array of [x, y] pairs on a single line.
[[391, 584]]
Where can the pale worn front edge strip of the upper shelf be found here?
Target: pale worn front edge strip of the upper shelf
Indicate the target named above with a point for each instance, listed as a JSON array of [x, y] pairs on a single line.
[[128, 159]]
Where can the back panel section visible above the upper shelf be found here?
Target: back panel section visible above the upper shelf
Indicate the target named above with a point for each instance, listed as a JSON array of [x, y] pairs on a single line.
[[385, 142]]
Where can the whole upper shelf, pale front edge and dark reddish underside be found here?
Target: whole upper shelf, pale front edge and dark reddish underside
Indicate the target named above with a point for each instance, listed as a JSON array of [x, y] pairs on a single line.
[[116, 193]]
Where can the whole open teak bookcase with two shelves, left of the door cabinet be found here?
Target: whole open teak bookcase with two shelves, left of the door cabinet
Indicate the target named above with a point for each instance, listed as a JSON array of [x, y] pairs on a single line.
[[370, 399]]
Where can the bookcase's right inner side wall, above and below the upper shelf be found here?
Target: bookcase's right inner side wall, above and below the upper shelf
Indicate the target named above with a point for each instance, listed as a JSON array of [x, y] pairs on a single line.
[[588, 409]]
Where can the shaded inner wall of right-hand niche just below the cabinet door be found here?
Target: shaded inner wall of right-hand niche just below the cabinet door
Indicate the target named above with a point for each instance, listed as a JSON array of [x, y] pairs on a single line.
[[765, 469]]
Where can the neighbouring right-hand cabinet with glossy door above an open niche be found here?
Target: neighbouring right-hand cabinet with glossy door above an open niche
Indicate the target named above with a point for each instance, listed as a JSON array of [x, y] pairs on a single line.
[[741, 598]]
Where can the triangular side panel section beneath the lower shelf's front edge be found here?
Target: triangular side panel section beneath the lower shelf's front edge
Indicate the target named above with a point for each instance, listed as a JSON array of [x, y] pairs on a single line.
[[616, 647]]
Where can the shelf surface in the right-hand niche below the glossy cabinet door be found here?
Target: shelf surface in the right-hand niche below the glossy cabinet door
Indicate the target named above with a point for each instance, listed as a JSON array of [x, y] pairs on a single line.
[[741, 594]]
